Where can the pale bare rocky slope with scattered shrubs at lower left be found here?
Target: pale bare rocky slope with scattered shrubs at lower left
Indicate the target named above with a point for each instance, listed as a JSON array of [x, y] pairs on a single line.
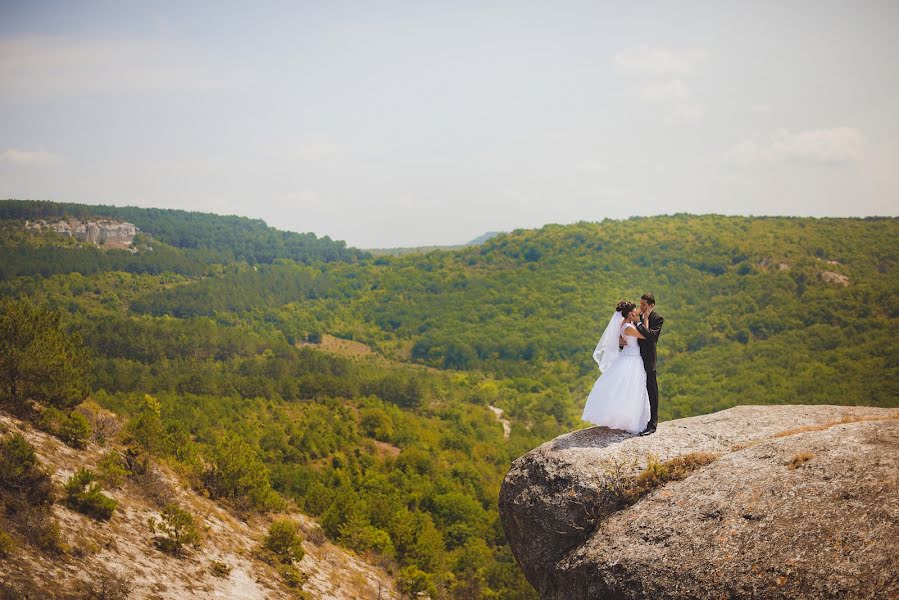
[[117, 558]]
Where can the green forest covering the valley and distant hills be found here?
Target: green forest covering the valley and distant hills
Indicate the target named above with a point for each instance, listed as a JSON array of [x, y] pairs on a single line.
[[212, 341]]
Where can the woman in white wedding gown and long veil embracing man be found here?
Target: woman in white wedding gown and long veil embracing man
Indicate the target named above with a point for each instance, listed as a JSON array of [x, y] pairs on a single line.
[[619, 399]]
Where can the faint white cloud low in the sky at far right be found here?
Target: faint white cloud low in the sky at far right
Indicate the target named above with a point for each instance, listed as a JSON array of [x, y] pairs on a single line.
[[838, 145]]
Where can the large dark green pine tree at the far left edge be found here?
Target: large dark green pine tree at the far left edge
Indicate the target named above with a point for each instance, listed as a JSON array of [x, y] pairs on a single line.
[[39, 360]]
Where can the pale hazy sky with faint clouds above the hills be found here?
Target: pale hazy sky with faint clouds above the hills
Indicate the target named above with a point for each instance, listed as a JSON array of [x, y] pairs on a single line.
[[421, 123]]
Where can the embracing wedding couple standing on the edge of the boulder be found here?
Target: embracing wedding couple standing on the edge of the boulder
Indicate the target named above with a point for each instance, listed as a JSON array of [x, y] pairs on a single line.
[[626, 395]]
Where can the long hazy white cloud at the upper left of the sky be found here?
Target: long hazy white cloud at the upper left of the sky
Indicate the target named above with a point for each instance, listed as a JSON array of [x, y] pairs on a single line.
[[44, 66]]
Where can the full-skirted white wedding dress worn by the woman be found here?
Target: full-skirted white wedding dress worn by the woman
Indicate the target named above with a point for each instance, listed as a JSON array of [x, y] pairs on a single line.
[[619, 399]]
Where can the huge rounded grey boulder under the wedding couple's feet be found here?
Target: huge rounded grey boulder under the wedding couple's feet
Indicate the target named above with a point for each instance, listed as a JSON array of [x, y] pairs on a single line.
[[797, 502]]
